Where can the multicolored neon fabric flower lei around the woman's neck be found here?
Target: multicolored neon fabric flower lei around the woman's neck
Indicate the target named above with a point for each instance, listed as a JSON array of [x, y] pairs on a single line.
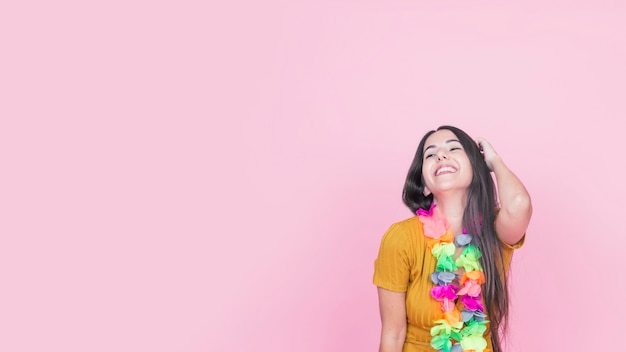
[[467, 326]]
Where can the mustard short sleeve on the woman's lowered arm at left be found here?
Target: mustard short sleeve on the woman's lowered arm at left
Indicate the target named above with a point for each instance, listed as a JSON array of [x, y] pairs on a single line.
[[392, 266]]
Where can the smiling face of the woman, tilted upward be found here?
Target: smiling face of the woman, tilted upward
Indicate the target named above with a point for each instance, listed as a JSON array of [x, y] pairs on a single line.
[[445, 165]]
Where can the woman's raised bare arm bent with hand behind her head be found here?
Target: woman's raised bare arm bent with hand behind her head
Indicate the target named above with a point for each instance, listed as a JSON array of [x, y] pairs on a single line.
[[515, 204]]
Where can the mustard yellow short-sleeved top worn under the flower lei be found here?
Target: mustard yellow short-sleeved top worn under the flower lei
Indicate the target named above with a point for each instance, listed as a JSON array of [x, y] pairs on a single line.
[[404, 264]]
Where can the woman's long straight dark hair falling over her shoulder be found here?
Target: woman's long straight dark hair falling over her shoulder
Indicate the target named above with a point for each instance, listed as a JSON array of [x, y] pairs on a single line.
[[478, 218]]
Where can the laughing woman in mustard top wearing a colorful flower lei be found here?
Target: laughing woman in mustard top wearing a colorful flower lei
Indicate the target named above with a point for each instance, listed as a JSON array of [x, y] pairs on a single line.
[[442, 275]]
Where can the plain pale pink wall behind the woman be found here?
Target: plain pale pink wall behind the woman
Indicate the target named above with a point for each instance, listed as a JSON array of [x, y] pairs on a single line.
[[178, 176]]
